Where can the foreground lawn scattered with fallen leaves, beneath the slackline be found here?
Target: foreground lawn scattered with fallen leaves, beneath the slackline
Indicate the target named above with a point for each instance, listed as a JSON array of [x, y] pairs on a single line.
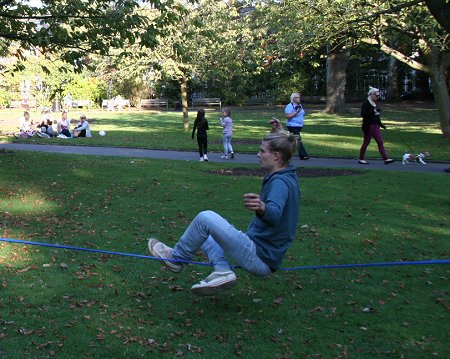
[[70, 304]]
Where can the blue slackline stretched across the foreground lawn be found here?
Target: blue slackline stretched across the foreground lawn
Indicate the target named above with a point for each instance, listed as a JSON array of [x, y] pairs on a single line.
[[335, 266]]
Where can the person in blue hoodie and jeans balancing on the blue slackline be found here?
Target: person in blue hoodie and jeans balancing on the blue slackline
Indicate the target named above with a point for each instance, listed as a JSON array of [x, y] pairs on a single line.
[[262, 247]]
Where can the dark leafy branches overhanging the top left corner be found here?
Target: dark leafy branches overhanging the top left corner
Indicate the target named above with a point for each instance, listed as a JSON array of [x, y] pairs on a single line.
[[74, 28]]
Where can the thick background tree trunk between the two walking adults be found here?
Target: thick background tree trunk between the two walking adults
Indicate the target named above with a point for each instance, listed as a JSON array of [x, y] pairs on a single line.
[[336, 80]]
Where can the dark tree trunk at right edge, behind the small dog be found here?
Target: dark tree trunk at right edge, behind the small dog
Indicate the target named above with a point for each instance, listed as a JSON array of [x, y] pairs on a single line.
[[438, 63]]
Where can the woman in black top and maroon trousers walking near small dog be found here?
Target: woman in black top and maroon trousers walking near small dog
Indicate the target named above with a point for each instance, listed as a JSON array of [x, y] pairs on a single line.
[[371, 125]]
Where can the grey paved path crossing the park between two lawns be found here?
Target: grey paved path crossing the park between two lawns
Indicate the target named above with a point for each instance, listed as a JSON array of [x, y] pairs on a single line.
[[437, 167]]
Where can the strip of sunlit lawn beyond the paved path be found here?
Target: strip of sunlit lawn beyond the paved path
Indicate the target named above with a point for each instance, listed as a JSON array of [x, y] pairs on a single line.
[[410, 129]]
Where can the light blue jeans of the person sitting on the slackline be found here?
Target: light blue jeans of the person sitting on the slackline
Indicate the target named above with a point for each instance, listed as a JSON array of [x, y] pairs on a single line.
[[215, 236]]
